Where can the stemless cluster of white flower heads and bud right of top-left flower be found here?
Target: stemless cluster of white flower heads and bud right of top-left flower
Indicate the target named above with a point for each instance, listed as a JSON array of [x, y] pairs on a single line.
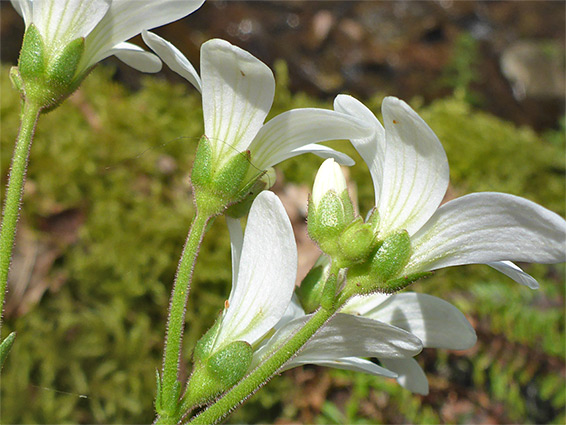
[[406, 236]]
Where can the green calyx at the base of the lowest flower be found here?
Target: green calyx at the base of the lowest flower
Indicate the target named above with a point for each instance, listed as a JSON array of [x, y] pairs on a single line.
[[217, 374]]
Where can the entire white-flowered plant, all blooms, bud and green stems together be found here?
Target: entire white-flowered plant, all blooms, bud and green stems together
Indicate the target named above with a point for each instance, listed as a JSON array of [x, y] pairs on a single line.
[[348, 313]]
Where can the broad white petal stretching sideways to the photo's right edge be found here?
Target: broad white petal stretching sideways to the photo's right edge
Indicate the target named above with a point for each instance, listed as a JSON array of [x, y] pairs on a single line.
[[488, 227]]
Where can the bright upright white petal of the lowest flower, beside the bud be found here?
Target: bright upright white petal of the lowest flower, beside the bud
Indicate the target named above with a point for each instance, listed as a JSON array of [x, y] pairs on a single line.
[[267, 272]]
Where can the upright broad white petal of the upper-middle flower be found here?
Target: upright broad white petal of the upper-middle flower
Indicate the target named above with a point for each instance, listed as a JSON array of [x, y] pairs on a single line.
[[237, 93]]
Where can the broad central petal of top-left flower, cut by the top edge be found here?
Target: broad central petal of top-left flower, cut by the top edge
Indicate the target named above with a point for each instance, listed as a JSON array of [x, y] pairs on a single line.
[[61, 22]]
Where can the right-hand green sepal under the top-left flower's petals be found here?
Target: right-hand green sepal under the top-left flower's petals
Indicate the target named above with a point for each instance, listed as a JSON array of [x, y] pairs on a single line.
[[61, 71]]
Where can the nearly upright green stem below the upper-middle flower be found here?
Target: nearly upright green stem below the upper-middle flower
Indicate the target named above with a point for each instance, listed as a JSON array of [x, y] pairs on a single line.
[[170, 388]]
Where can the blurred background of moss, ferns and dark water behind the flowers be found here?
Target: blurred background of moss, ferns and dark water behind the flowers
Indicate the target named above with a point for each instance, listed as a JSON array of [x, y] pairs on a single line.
[[107, 206]]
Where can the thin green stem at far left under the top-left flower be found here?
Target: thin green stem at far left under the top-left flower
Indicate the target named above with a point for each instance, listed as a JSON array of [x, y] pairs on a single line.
[[29, 116]]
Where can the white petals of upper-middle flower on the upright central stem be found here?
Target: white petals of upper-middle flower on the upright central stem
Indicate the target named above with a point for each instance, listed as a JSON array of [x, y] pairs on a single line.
[[237, 94]]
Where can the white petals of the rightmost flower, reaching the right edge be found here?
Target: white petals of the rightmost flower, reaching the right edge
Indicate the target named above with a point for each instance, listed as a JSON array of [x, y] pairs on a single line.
[[410, 174]]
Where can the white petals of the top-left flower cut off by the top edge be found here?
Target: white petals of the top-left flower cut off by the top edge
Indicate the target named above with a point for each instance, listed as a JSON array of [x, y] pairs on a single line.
[[105, 24]]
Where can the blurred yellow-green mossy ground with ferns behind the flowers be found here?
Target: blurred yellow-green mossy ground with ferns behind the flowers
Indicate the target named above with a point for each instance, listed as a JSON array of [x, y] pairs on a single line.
[[116, 164]]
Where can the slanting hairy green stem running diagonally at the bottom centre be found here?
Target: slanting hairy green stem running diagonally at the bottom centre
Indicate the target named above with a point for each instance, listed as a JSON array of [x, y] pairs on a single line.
[[267, 369]]
